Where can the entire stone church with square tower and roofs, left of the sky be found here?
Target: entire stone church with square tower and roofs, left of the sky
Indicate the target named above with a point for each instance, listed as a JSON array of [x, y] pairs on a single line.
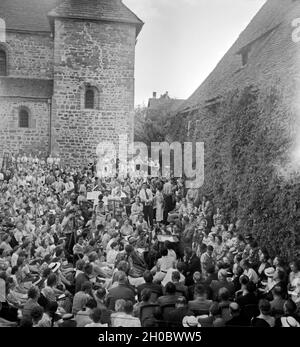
[[67, 77]]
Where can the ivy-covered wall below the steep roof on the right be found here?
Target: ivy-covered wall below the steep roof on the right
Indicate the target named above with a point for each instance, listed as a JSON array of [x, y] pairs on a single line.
[[247, 136]]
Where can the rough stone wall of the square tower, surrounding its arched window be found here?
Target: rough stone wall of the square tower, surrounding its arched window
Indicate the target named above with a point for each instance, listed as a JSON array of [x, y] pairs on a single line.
[[102, 55]]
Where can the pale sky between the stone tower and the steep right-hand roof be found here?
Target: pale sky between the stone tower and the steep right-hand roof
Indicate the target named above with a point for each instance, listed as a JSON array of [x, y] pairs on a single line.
[[183, 40]]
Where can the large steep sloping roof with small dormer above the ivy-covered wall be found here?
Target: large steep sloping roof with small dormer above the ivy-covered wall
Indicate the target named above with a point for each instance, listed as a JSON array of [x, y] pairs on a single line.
[[267, 39]]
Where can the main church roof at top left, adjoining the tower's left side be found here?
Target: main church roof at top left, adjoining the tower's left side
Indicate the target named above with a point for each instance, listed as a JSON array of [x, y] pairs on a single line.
[[27, 15]]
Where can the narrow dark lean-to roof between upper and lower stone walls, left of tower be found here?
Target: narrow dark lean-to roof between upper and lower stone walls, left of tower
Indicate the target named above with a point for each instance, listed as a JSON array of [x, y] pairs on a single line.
[[26, 87]]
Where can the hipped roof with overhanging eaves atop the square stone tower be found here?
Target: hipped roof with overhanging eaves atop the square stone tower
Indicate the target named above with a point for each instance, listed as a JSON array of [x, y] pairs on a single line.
[[100, 10]]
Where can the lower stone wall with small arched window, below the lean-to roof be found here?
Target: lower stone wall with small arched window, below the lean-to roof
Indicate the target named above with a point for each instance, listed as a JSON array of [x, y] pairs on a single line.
[[31, 140]]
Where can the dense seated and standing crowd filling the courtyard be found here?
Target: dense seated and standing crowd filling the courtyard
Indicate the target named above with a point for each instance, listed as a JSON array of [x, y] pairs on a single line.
[[78, 250]]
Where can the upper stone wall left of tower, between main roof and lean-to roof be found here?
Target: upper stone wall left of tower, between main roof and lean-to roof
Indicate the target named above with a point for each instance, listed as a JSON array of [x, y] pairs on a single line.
[[30, 55]]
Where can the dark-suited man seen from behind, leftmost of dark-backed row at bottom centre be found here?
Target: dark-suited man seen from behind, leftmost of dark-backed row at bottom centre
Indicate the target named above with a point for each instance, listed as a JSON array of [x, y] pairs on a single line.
[[121, 291]]
